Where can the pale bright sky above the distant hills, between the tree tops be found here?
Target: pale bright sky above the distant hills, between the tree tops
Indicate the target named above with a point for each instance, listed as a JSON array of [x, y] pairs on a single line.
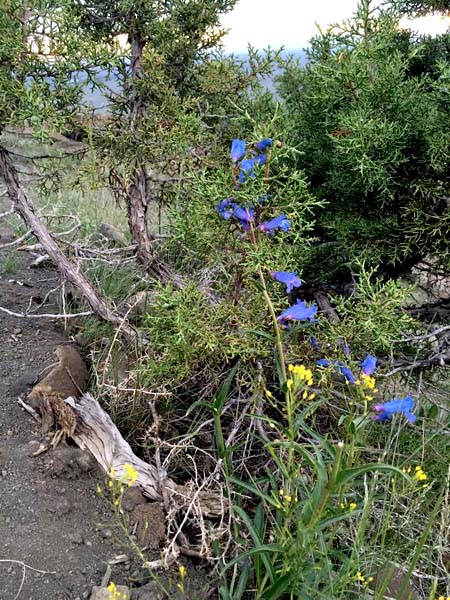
[[291, 23]]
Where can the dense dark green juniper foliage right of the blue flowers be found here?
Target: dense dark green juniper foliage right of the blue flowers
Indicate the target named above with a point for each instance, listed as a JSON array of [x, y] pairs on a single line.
[[370, 113]]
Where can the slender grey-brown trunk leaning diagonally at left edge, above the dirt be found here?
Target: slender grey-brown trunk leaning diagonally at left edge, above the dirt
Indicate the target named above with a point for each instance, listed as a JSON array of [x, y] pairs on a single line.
[[68, 269]]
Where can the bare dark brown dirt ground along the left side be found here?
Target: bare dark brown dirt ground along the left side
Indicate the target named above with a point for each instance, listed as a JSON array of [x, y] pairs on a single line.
[[49, 509]]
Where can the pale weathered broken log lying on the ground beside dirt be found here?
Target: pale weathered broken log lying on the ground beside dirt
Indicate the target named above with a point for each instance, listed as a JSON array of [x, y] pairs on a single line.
[[96, 432]]
